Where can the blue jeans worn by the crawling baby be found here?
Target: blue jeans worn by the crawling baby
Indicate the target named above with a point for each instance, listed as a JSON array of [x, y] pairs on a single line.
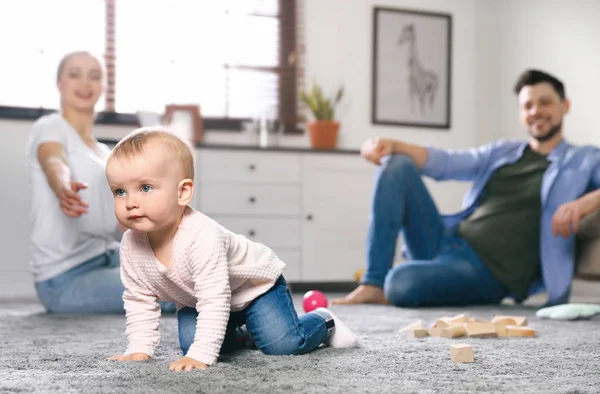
[[270, 319]]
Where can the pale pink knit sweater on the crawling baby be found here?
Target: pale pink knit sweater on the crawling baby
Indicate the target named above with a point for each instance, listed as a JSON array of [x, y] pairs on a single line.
[[212, 270]]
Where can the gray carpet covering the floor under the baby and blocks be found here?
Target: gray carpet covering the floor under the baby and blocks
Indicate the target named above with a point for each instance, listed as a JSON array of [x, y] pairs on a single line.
[[63, 354]]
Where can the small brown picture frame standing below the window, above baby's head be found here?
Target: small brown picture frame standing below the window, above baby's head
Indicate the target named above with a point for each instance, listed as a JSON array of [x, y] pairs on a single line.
[[186, 121]]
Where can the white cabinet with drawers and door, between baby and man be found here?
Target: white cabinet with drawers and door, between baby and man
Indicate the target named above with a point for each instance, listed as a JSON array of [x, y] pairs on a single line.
[[311, 208]]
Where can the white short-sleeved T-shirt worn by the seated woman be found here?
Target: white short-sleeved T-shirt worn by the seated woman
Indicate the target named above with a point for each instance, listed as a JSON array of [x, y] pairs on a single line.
[[59, 242]]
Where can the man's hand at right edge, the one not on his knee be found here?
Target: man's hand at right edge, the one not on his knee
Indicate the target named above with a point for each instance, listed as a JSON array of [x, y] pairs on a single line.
[[566, 218]]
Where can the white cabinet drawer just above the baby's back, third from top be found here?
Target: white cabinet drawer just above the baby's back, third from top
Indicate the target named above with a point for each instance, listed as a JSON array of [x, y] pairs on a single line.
[[272, 232]]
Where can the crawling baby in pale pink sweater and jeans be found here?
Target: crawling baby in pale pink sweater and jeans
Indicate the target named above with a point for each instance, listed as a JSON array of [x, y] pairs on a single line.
[[219, 280]]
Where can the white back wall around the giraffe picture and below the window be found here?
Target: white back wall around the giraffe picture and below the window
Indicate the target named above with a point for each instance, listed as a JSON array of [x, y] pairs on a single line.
[[338, 44]]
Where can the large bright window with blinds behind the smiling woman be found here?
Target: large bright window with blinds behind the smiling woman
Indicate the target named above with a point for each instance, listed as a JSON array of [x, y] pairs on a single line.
[[236, 58]]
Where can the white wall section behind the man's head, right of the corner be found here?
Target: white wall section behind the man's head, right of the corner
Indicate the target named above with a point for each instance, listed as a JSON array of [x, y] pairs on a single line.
[[561, 37]]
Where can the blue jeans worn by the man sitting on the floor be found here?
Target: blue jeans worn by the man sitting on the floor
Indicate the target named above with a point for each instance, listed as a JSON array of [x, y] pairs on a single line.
[[443, 269]]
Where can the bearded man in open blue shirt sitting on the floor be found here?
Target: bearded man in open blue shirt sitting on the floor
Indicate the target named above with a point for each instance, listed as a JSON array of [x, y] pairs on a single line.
[[516, 233]]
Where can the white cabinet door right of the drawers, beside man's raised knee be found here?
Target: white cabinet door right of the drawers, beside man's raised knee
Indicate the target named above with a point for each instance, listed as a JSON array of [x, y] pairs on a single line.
[[336, 194]]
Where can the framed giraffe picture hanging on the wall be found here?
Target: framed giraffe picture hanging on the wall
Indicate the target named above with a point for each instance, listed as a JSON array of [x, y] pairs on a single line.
[[411, 68]]
